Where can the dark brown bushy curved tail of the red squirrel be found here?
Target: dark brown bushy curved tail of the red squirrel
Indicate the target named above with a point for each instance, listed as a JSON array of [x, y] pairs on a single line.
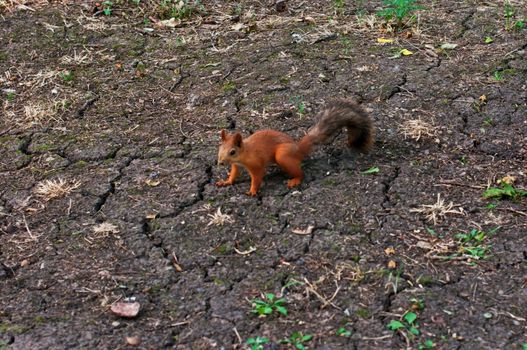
[[337, 115]]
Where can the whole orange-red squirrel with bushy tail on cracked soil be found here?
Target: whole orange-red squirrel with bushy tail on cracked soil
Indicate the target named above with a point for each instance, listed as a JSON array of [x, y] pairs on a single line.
[[264, 147]]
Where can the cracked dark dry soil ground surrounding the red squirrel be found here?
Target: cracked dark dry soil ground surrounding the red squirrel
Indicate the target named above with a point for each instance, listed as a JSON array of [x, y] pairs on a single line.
[[134, 115]]
